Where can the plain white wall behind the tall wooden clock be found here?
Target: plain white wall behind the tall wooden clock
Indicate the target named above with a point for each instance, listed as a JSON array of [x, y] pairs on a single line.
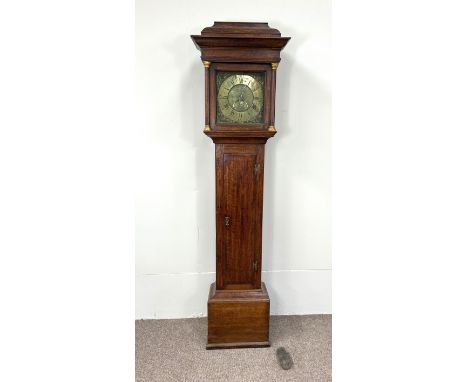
[[175, 208]]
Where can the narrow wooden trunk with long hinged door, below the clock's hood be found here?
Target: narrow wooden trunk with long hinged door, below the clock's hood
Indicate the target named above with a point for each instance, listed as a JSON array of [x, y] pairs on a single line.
[[239, 195]]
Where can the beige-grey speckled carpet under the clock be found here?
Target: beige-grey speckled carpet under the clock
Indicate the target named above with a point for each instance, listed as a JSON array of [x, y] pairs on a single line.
[[174, 350]]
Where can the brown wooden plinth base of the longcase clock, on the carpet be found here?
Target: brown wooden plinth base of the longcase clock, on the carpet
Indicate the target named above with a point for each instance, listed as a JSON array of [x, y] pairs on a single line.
[[238, 318]]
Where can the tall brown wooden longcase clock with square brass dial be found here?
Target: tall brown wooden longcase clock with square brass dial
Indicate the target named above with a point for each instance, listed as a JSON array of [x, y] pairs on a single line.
[[240, 61]]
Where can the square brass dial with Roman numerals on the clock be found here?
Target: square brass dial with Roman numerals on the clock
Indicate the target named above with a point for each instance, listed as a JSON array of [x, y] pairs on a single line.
[[239, 97]]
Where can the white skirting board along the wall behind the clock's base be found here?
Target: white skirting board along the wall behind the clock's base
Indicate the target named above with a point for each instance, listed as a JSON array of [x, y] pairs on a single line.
[[184, 295]]
